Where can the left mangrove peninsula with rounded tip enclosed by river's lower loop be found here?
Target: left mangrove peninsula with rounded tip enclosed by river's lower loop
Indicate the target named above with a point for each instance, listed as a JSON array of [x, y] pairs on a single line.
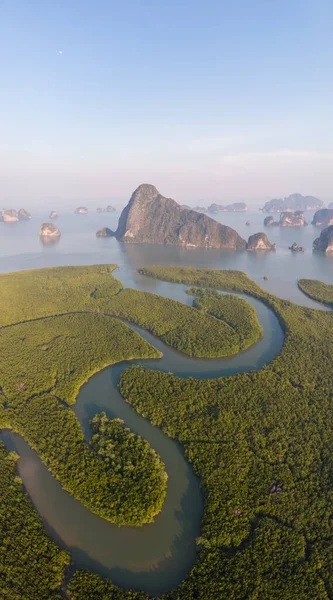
[[43, 365]]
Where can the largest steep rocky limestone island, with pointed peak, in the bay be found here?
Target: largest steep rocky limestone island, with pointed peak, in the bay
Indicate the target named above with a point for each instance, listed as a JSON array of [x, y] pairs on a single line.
[[150, 217]]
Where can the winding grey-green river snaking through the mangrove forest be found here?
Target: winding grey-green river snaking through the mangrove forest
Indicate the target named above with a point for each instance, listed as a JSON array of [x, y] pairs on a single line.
[[155, 557]]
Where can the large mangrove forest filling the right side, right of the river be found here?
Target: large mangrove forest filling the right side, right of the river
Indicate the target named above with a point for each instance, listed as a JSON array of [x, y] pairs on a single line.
[[262, 446]]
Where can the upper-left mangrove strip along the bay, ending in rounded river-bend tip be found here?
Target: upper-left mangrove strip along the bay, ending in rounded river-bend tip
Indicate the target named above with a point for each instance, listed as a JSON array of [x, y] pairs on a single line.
[[95, 289]]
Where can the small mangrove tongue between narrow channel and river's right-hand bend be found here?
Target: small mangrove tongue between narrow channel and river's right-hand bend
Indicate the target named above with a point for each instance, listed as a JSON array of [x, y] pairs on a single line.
[[238, 313]]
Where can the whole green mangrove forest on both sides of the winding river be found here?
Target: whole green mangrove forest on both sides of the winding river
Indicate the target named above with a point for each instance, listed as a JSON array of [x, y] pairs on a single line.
[[261, 442]]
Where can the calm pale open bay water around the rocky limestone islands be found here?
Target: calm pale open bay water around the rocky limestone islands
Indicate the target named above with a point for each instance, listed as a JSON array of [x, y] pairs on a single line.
[[21, 248]]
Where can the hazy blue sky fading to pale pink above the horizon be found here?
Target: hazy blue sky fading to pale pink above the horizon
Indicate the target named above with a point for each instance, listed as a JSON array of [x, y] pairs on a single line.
[[221, 100]]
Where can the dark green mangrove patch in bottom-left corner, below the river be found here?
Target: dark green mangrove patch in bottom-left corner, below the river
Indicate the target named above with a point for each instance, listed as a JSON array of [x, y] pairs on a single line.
[[31, 565]]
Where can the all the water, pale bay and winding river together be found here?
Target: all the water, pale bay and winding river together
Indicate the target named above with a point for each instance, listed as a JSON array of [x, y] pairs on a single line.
[[155, 557]]
